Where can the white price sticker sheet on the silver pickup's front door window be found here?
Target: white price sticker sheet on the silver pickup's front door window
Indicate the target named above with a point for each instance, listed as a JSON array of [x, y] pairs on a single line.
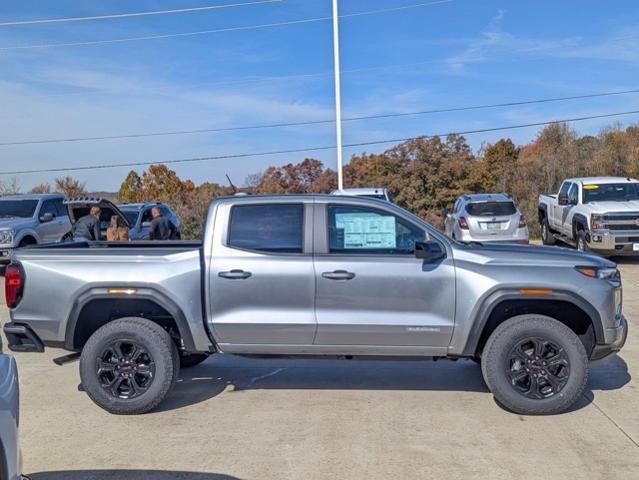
[[367, 230]]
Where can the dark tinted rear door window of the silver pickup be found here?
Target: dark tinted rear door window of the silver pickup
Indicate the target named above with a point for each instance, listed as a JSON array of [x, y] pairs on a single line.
[[271, 228]]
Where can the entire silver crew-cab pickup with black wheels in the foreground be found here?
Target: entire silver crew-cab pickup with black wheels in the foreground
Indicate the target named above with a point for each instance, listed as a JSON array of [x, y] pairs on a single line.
[[317, 275]]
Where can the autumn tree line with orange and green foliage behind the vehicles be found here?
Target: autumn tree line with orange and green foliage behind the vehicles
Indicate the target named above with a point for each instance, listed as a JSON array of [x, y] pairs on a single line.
[[423, 175]]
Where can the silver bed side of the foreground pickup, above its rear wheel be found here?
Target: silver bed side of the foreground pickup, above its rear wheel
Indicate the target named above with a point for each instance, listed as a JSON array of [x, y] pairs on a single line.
[[59, 278]]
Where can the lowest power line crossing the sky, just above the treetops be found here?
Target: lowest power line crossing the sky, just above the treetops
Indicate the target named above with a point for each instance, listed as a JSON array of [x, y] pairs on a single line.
[[313, 149]]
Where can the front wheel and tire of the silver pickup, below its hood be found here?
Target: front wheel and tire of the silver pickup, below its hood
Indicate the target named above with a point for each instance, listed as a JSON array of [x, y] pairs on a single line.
[[543, 396]]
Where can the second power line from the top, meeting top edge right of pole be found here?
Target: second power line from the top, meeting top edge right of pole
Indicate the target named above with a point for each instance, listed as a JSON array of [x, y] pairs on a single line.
[[223, 30]]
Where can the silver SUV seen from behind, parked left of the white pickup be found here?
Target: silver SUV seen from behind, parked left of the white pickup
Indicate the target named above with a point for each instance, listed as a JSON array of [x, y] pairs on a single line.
[[486, 217]]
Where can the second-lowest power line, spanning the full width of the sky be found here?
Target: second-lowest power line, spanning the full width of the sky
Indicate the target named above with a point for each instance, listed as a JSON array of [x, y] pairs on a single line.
[[315, 122]]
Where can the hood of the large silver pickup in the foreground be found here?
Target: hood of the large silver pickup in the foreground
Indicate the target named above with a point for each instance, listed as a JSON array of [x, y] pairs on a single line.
[[528, 255]]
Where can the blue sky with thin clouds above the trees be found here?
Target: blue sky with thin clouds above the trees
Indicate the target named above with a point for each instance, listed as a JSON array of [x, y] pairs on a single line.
[[462, 52]]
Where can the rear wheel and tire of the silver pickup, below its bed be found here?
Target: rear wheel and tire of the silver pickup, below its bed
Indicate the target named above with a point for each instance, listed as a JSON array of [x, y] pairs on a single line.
[[139, 381]]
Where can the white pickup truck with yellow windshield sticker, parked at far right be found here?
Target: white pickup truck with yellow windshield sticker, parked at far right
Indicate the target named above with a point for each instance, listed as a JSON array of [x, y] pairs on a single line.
[[594, 213]]
